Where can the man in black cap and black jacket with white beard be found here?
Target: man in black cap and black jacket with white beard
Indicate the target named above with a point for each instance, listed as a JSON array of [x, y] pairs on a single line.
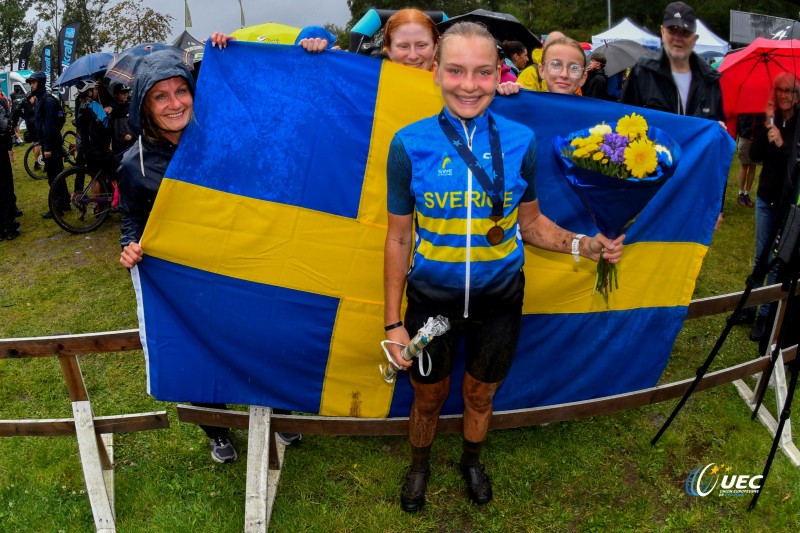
[[675, 79]]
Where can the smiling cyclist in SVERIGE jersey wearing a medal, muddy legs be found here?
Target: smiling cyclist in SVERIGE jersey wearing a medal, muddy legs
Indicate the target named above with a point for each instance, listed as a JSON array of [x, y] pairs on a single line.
[[465, 179]]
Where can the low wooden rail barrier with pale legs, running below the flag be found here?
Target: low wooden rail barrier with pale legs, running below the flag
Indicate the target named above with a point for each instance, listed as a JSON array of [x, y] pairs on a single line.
[[265, 456]]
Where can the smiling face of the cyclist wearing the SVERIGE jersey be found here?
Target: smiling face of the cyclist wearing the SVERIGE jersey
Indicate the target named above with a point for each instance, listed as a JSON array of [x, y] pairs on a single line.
[[468, 74]]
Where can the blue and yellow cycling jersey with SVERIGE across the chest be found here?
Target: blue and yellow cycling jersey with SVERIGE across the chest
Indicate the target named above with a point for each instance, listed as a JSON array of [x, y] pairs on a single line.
[[452, 258]]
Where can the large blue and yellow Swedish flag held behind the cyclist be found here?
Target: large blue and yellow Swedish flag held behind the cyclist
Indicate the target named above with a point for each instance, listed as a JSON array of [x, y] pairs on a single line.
[[262, 281]]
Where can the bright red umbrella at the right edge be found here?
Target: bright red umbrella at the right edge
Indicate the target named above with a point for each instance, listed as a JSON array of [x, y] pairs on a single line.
[[748, 74]]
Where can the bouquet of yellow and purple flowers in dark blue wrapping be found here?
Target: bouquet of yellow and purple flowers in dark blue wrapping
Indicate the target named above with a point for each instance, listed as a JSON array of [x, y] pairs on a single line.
[[615, 169]]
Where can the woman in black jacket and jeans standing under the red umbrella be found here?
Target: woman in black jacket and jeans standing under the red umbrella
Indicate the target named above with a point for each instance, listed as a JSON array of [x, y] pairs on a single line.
[[772, 146]]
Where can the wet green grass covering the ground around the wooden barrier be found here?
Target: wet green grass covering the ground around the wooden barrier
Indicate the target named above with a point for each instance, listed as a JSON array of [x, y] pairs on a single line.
[[597, 474]]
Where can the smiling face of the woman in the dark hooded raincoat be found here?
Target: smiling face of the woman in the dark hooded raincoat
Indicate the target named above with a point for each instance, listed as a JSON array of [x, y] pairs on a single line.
[[169, 104]]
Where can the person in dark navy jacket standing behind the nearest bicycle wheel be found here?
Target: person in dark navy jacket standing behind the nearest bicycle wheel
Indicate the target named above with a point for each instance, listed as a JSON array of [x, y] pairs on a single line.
[[48, 133]]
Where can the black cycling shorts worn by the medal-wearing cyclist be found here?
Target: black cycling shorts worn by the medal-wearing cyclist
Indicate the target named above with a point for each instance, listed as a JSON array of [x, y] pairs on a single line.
[[491, 341]]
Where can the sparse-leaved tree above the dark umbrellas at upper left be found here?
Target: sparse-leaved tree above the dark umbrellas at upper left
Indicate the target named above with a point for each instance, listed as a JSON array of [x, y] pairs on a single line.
[[129, 23]]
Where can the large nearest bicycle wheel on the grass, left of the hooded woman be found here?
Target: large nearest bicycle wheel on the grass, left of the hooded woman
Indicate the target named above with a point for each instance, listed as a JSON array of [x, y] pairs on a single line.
[[89, 201]]
